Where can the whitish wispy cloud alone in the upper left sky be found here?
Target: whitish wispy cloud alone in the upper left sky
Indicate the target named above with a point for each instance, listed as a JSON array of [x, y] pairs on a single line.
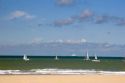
[[20, 14]]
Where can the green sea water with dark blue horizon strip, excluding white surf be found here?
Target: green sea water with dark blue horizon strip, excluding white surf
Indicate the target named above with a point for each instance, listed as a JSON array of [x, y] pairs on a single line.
[[64, 62]]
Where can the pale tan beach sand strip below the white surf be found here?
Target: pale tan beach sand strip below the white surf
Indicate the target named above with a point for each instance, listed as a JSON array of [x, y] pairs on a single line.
[[62, 79]]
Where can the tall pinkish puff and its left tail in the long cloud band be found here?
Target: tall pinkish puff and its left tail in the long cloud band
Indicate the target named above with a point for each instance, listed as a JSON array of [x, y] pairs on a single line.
[[87, 14]]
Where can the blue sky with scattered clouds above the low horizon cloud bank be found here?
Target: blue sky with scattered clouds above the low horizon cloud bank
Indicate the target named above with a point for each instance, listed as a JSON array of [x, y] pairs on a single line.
[[35, 21]]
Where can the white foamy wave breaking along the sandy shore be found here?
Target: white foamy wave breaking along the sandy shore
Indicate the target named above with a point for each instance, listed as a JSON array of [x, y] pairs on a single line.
[[59, 72]]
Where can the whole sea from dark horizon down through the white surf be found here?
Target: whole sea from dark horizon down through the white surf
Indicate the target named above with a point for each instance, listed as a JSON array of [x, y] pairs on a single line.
[[61, 65]]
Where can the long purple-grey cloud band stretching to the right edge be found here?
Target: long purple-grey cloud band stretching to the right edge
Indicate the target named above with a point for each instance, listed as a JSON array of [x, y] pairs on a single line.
[[88, 15]]
